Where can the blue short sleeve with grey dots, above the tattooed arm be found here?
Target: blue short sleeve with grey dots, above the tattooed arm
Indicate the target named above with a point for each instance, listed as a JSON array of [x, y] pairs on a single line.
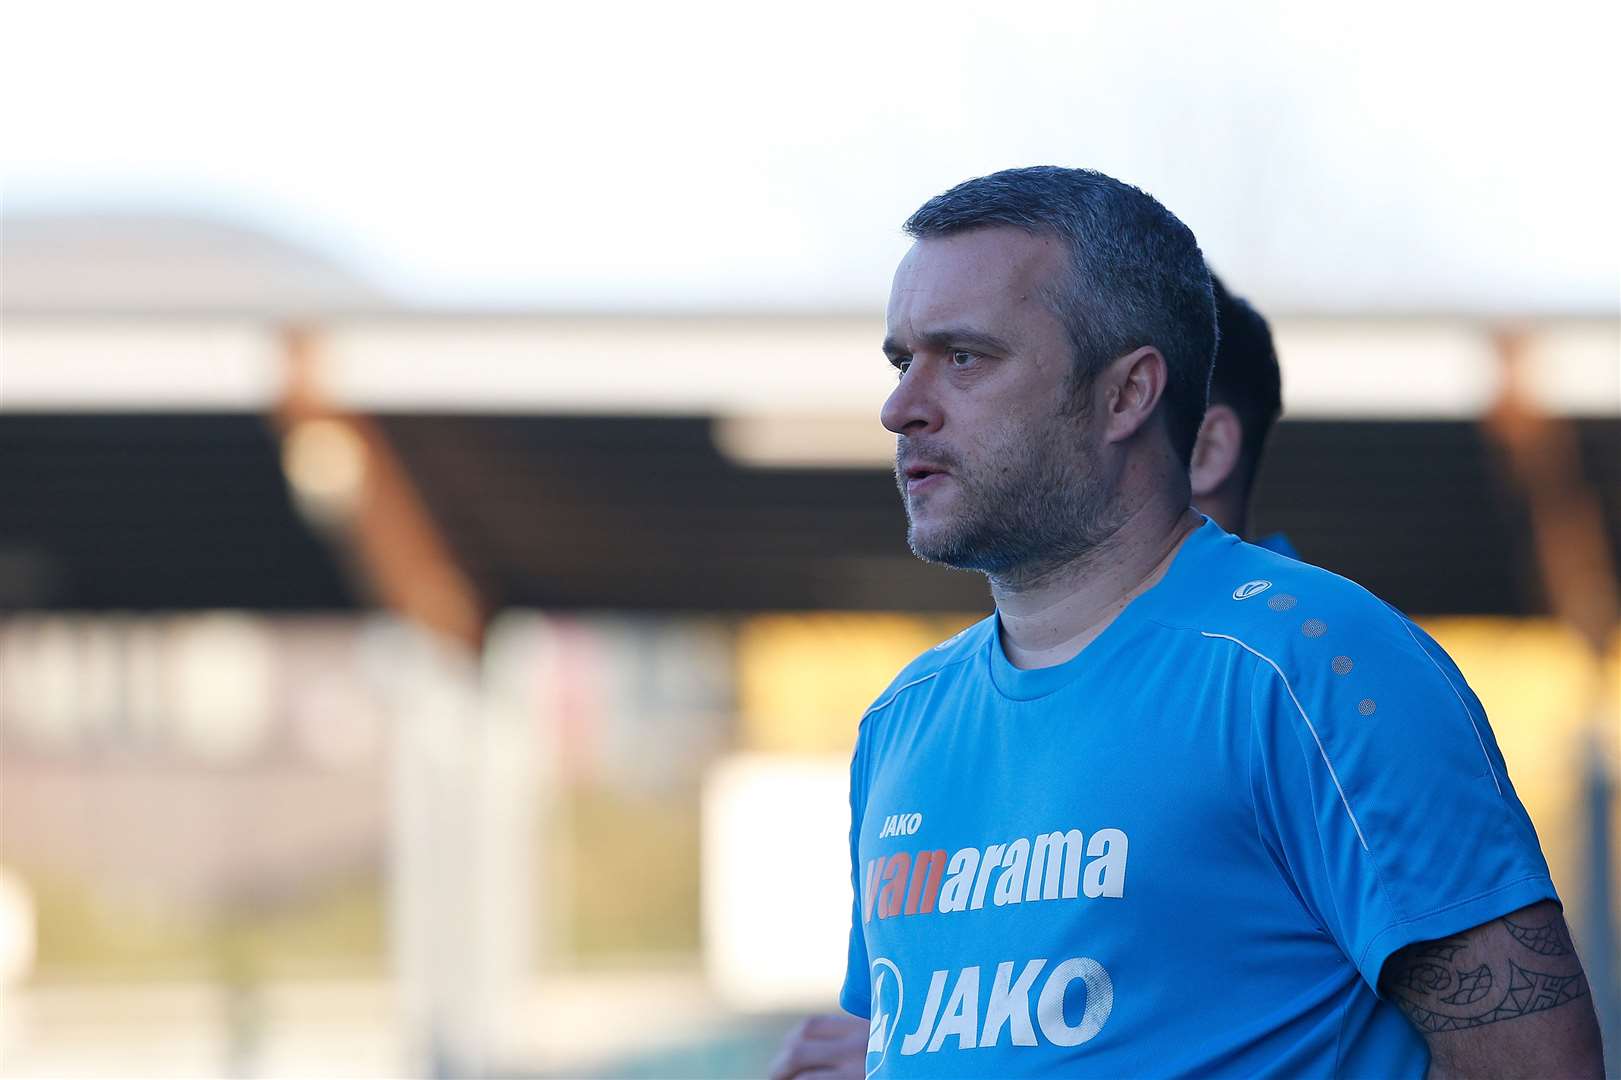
[[1380, 791]]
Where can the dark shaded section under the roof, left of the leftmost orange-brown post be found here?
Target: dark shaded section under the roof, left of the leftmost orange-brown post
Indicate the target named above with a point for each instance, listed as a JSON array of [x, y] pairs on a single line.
[[155, 512]]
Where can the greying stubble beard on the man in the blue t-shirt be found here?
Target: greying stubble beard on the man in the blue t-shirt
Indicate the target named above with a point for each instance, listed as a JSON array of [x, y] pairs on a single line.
[[1022, 513]]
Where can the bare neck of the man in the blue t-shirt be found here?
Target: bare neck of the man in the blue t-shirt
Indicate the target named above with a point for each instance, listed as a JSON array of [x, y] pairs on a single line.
[[1053, 617]]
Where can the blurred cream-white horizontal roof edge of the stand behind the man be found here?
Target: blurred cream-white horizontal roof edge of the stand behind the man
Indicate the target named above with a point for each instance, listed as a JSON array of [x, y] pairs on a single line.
[[735, 366]]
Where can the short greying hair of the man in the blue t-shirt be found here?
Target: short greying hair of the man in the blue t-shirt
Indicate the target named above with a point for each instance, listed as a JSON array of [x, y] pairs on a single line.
[[1137, 275]]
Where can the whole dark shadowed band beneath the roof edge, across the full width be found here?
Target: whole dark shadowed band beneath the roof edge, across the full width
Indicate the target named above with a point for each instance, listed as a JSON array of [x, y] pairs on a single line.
[[190, 512]]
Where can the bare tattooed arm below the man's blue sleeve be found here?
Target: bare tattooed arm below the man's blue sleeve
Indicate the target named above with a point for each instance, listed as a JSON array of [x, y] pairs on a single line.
[[1505, 1000]]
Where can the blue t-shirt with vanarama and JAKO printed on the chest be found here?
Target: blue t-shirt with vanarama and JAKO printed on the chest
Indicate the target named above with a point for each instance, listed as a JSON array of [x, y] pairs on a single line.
[[1186, 852]]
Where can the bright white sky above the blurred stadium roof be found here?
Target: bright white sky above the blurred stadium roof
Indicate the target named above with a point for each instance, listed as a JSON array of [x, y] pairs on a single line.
[[1332, 158]]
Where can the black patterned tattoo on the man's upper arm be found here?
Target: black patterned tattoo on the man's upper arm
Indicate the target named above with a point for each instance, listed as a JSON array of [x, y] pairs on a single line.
[[1497, 972]]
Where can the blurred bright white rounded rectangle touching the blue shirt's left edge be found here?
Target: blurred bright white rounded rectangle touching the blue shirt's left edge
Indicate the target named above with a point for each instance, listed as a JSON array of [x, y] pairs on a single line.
[[776, 880]]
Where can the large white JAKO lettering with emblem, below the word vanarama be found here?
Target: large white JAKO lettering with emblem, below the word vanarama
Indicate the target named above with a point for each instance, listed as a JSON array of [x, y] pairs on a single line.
[[1007, 1008]]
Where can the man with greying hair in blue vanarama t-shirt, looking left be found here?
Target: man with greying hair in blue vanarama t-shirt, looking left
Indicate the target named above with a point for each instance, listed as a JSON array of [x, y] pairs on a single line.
[[1181, 805]]
